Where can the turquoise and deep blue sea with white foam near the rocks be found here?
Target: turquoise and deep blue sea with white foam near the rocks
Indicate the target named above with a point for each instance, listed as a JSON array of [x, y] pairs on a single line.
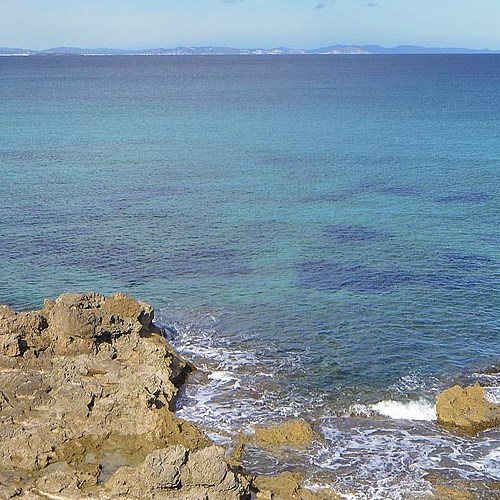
[[320, 235]]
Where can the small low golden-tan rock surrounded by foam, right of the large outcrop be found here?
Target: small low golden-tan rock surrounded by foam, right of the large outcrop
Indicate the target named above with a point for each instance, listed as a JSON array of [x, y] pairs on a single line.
[[294, 433]]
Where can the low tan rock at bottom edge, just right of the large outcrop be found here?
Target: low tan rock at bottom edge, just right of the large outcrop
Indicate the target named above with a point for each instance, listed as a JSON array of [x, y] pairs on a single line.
[[288, 486]]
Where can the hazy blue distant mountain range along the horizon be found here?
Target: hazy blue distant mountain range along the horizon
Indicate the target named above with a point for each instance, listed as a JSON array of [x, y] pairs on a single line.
[[211, 50]]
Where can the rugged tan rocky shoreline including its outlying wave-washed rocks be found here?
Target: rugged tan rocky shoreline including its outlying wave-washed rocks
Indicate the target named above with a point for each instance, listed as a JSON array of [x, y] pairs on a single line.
[[88, 388]]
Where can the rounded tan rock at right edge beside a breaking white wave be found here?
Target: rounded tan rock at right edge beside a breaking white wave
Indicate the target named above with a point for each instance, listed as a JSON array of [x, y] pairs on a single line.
[[467, 408]]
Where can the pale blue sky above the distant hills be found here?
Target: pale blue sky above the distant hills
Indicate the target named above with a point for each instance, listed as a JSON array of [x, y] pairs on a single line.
[[41, 24]]
